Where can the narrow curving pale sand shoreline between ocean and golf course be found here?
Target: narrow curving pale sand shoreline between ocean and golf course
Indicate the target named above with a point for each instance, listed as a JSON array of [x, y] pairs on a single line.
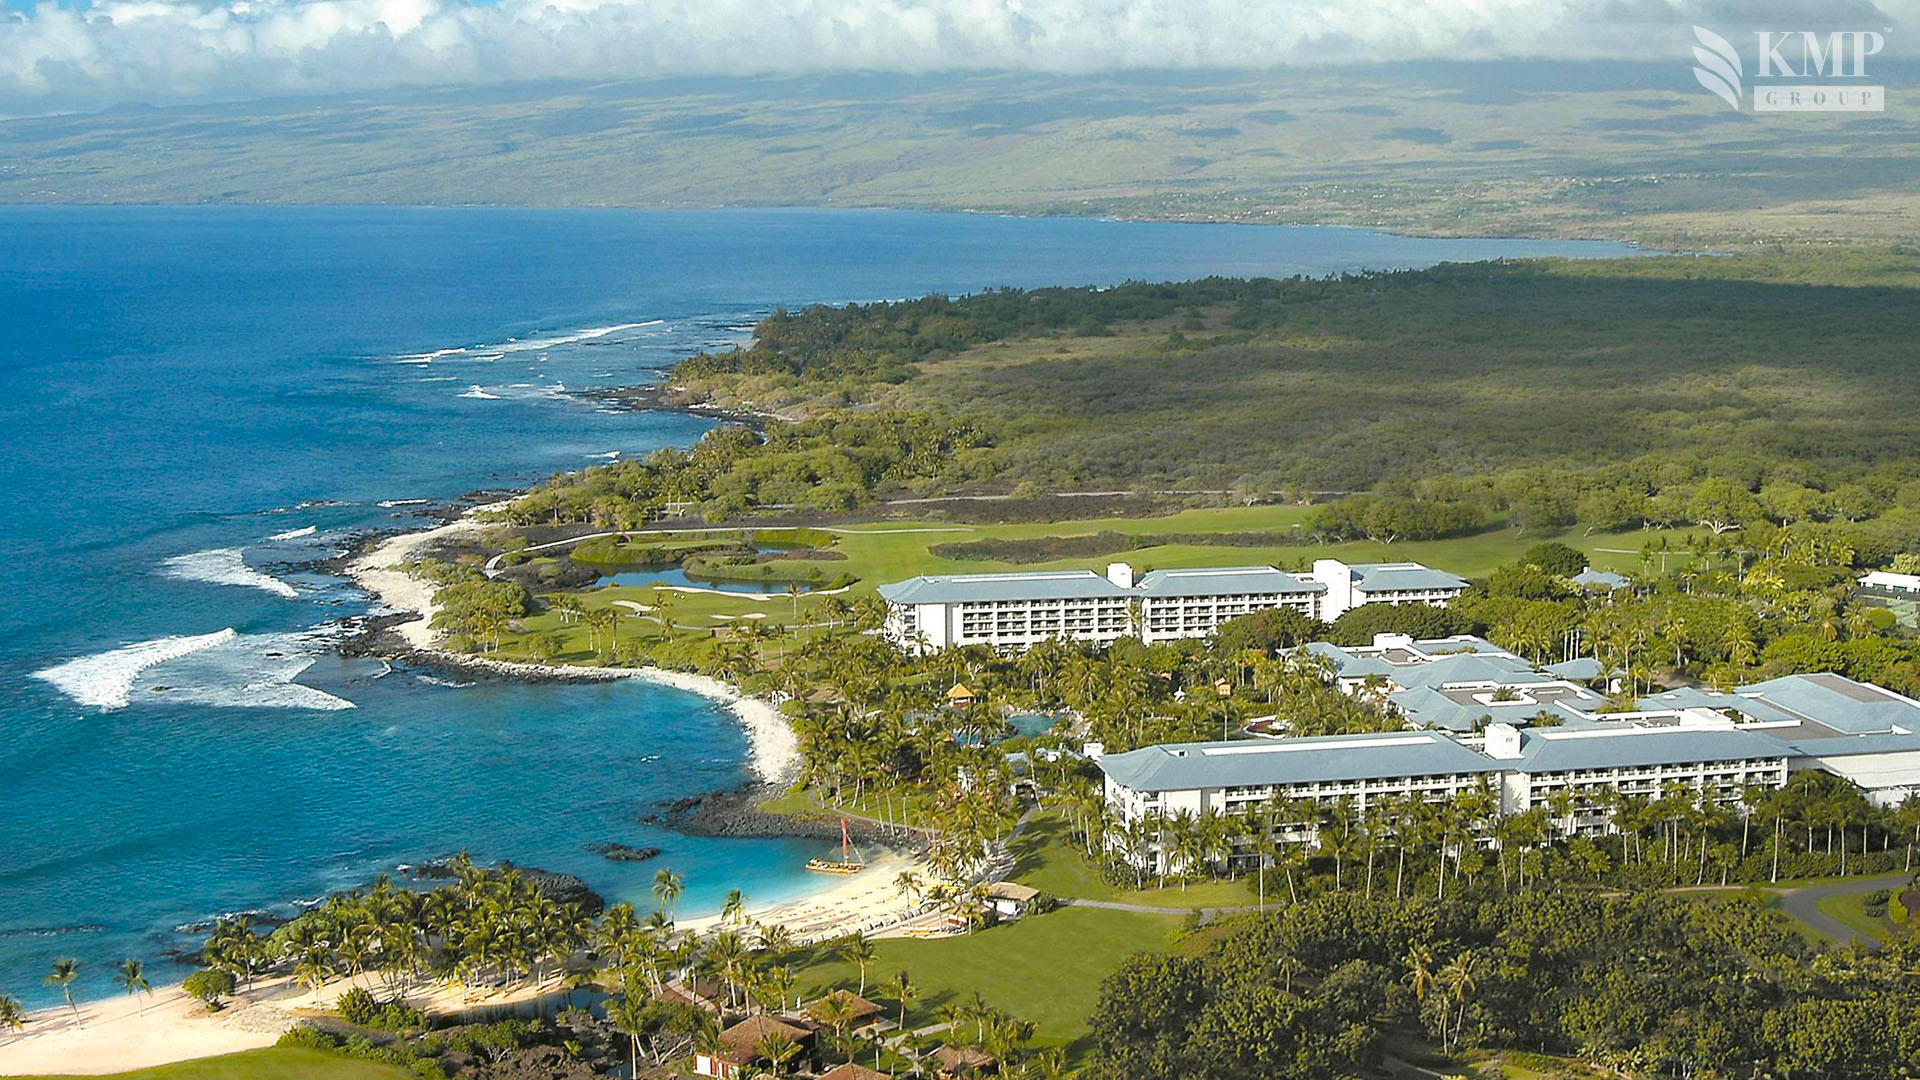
[[773, 747]]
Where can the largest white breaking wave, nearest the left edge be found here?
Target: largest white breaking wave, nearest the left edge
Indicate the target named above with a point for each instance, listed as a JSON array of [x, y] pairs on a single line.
[[220, 670]]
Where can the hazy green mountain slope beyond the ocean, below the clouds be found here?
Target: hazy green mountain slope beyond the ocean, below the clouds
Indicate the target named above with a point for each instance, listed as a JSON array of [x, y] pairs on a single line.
[[1447, 149]]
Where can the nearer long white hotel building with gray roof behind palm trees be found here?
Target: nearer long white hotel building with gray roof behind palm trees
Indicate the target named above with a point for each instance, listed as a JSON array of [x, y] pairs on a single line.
[[1716, 745]]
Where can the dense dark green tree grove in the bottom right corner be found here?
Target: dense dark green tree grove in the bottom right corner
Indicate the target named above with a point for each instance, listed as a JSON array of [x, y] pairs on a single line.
[[1648, 985]]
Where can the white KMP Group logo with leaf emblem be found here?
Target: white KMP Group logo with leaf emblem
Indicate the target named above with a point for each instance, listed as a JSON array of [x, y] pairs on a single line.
[[1794, 72]]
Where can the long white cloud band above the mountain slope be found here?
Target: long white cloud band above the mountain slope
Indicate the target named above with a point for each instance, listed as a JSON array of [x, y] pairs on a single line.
[[181, 49]]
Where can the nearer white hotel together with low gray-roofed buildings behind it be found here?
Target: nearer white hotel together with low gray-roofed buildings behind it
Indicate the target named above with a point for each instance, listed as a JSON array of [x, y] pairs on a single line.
[[1489, 727]]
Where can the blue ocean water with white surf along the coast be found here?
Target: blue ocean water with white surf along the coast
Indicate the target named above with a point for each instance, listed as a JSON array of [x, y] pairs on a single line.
[[195, 401]]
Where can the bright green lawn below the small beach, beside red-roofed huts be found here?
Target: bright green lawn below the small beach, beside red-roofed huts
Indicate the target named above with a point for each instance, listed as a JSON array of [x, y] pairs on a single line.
[[1044, 970]]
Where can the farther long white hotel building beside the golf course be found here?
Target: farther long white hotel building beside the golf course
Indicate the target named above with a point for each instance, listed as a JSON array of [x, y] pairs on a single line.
[[1013, 612]]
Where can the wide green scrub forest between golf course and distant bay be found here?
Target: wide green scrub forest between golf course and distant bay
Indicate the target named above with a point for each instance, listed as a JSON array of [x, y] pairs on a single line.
[[1616, 395]]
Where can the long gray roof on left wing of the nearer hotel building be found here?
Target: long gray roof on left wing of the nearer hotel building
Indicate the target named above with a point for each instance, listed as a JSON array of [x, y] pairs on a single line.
[[1293, 762]]
